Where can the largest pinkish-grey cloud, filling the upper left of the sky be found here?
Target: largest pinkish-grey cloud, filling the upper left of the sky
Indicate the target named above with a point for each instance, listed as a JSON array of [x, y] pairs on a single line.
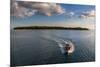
[[24, 8]]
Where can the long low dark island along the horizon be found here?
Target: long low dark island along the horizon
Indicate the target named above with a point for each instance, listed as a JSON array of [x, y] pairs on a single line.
[[49, 27]]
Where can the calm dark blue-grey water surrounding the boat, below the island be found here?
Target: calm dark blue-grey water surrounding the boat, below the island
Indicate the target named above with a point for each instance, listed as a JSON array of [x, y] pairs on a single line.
[[36, 47]]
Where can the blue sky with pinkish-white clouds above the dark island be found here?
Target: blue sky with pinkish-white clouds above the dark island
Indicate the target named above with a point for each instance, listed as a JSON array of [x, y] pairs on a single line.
[[52, 14]]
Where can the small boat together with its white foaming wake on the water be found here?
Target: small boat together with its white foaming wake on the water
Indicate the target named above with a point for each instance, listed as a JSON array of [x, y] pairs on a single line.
[[66, 46]]
